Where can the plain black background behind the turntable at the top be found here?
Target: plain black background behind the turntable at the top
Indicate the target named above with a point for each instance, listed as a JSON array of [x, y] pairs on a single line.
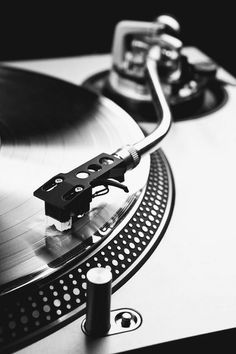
[[35, 30]]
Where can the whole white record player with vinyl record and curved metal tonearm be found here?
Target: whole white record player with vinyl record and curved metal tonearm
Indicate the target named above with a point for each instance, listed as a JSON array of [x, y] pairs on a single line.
[[118, 168]]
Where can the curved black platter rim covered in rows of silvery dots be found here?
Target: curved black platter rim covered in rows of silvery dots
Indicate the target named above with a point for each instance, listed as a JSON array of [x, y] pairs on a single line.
[[25, 315]]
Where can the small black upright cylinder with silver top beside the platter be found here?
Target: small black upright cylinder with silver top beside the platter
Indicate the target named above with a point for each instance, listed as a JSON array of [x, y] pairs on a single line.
[[98, 301]]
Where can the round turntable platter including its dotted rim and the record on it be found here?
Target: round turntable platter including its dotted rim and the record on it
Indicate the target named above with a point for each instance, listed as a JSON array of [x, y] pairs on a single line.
[[48, 126]]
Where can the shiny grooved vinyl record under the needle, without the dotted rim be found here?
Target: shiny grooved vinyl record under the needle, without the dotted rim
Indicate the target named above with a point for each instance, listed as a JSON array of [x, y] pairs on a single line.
[[49, 126]]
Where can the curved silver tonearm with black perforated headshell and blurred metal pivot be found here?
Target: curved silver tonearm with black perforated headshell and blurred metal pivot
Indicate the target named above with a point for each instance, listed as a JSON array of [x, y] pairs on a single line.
[[67, 195]]
